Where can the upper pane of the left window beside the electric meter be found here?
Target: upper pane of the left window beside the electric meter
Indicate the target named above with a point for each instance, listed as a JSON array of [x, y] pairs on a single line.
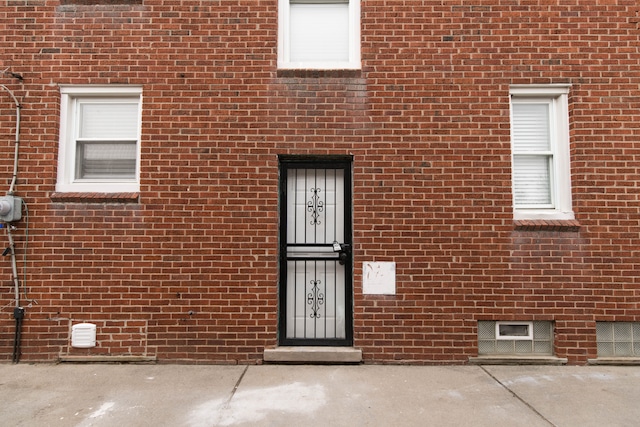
[[108, 120]]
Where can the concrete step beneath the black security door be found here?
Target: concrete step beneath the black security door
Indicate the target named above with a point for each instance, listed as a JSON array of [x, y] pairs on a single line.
[[329, 355]]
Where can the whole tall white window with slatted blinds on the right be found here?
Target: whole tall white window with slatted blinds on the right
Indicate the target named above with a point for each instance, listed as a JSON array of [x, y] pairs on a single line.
[[540, 152]]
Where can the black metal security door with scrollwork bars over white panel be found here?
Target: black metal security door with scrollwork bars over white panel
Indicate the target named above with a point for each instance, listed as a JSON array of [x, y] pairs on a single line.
[[315, 253]]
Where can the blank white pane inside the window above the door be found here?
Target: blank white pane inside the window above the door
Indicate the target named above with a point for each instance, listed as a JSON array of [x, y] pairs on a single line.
[[319, 32]]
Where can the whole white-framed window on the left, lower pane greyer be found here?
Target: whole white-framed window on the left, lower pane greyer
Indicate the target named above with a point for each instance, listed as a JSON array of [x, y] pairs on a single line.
[[99, 139]]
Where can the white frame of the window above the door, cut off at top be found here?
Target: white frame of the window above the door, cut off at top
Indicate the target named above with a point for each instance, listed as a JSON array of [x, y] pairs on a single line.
[[284, 39]]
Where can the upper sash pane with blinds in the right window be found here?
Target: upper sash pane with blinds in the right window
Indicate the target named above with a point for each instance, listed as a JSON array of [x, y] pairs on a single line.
[[531, 127]]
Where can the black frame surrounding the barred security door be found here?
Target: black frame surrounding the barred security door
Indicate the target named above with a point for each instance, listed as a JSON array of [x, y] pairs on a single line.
[[287, 162]]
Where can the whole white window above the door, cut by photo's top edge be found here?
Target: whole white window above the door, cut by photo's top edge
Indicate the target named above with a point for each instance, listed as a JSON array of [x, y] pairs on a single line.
[[319, 34]]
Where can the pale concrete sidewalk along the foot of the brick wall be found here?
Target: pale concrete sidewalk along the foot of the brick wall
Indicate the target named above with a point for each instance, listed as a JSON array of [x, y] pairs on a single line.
[[270, 395]]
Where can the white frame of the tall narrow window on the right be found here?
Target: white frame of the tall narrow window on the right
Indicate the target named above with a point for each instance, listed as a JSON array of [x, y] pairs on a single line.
[[556, 96]]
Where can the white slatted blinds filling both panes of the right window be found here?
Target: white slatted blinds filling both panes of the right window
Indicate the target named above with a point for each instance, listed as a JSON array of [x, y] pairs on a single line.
[[532, 155]]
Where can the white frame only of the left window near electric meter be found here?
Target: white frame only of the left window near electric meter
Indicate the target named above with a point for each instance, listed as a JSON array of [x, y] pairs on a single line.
[[70, 97]]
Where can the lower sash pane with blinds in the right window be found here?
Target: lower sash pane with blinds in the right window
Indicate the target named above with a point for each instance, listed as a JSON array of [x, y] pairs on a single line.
[[532, 180]]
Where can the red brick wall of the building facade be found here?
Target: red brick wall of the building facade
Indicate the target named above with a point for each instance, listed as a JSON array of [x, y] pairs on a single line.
[[187, 269]]
